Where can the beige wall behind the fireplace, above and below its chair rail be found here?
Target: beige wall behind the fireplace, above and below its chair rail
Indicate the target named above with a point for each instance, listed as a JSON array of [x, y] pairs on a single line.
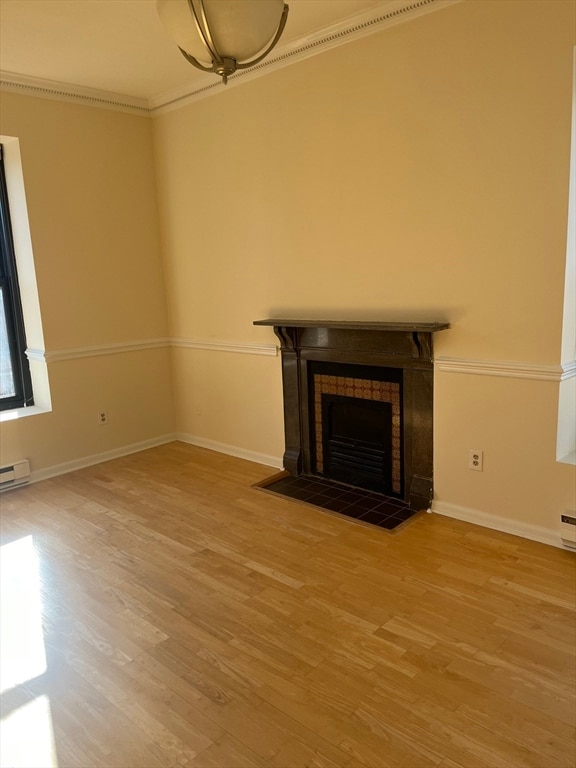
[[420, 173]]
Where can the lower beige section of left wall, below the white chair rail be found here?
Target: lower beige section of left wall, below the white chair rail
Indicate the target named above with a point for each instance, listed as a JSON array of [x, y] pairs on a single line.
[[133, 387]]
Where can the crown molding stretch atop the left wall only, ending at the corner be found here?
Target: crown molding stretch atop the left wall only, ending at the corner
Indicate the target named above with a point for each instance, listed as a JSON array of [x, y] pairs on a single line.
[[53, 89]]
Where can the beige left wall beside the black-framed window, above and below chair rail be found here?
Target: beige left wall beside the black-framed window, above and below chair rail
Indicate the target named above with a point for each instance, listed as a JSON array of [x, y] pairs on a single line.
[[92, 209]]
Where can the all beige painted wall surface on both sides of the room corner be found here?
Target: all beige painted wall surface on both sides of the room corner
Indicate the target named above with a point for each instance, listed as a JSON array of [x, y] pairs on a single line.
[[420, 173]]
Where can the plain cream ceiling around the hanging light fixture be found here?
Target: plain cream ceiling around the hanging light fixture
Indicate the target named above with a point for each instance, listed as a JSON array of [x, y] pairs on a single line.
[[120, 46]]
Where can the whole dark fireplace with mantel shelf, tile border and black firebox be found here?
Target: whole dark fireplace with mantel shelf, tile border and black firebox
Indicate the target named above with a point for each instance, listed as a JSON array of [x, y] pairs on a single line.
[[358, 404]]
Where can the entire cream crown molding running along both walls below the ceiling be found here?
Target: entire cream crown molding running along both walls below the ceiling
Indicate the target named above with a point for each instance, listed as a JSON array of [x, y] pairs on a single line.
[[381, 17]]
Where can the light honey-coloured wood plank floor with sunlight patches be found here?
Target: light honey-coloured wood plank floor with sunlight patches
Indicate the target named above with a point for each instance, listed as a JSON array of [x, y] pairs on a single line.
[[191, 620]]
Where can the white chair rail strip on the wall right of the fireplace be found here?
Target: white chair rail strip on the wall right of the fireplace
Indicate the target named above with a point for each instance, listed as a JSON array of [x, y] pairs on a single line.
[[508, 369]]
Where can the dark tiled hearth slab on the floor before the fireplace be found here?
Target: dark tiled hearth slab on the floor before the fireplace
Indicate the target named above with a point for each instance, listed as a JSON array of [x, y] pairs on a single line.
[[383, 511]]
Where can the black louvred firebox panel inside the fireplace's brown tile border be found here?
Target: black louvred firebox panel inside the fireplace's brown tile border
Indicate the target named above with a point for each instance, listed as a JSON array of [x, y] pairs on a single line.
[[357, 442]]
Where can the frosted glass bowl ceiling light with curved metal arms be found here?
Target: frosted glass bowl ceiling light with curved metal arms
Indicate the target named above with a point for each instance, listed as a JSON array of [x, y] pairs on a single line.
[[222, 36]]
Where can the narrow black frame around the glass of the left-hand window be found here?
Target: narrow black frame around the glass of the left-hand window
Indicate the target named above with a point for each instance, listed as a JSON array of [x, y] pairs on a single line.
[[9, 286]]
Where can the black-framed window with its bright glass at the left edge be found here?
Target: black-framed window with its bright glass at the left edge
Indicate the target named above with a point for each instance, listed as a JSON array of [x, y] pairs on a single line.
[[15, 381]]
